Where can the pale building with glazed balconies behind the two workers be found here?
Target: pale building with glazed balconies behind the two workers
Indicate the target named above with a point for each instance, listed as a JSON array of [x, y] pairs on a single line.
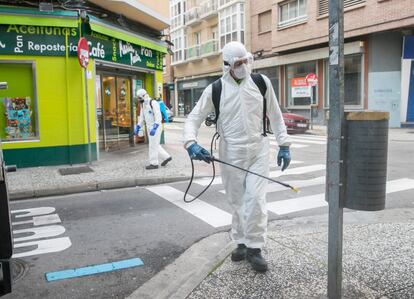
[[199, 29]]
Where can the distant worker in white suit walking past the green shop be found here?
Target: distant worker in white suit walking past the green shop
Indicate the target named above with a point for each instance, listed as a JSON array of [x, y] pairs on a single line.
[[151, 115]]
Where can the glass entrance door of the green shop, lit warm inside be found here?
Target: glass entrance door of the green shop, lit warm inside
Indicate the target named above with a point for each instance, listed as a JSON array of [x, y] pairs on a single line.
[[115, 126]]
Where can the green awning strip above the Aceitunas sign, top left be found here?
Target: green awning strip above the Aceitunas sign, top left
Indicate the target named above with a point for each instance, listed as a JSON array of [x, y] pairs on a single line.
[[18, 16]]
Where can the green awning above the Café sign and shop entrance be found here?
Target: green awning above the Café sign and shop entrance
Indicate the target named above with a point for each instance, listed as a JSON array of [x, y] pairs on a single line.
[[106, 29]]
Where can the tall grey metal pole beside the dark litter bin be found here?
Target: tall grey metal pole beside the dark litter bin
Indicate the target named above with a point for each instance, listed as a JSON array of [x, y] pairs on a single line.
[[334, 181]]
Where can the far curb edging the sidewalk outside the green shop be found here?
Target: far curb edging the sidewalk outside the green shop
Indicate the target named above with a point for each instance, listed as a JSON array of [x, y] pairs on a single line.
[[96, 186]]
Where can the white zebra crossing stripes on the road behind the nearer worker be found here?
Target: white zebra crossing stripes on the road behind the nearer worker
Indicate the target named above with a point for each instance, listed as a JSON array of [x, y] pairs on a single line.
[[309, 178]]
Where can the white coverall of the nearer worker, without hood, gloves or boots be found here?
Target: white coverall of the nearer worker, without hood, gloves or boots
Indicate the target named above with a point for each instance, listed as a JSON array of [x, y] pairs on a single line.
[[240, 125]]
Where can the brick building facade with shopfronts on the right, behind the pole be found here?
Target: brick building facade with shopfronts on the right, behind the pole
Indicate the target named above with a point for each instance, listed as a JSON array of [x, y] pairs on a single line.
[[289, 39]]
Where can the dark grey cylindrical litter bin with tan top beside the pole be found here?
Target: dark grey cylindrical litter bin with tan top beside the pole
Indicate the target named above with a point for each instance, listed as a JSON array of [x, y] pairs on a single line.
[[366, 150]]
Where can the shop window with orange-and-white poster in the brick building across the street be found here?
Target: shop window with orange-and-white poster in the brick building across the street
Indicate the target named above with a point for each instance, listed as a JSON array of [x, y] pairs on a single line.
[[298, 95]]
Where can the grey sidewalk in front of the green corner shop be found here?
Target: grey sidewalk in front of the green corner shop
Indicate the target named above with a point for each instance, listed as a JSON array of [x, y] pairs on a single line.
[[118, 169]]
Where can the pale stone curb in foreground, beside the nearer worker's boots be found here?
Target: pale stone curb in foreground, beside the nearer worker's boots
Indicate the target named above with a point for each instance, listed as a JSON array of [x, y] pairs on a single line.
[[181, 277]]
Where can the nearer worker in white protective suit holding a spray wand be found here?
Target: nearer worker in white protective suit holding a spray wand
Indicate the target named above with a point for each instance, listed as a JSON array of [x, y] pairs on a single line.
[[242, 143]]
